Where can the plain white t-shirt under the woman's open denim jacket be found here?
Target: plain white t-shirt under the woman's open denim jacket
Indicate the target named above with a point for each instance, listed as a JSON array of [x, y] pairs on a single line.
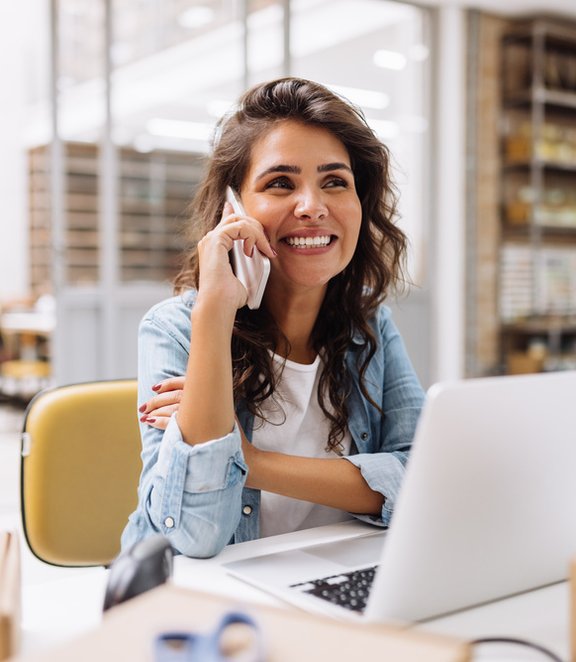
[[297, 426]]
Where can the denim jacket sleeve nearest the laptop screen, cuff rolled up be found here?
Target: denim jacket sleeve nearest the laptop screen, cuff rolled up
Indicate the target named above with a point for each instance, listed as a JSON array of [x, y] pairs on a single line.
[[392, 382]]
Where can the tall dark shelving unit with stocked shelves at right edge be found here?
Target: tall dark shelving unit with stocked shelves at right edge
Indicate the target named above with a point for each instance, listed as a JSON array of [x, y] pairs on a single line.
[[537, 276]]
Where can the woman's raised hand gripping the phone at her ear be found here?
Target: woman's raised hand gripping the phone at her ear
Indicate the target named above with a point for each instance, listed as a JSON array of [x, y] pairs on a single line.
[[217, 280]]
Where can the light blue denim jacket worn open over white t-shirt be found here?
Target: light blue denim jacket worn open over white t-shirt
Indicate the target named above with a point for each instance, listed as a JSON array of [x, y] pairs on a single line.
[[196, 495]]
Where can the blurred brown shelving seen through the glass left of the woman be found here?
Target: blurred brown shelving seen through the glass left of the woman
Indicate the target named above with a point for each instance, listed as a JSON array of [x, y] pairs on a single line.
[[153, 192]]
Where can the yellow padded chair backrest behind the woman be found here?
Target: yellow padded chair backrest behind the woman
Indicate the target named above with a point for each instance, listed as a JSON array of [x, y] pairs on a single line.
[[79, 471]]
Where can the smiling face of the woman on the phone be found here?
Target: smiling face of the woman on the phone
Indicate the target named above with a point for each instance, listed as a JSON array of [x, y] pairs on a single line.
[[300, 186]]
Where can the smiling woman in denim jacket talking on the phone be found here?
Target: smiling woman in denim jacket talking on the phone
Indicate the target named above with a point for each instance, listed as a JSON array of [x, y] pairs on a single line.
[[301, 412]]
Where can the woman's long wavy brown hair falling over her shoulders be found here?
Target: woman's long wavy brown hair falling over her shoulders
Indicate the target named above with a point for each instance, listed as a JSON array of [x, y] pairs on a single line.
[[354, 294]]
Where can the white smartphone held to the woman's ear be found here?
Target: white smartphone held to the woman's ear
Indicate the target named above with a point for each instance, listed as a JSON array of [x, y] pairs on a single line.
[[253, 271]]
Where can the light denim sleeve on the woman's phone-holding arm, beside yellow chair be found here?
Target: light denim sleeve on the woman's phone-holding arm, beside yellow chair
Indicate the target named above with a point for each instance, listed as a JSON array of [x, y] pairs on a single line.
[[190, 494]]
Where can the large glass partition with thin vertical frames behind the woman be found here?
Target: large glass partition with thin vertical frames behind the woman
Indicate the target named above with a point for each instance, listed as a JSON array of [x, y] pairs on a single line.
[[139, 85]]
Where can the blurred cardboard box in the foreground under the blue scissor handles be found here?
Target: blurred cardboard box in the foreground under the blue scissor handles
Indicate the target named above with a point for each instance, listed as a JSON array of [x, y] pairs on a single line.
[[128, 632]]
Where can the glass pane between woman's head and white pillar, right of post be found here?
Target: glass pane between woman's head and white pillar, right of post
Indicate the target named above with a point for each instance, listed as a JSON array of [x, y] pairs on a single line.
[[376, 54]]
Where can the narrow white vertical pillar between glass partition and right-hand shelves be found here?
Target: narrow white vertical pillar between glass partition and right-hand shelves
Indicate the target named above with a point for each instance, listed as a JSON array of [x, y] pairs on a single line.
[[448, 163]]
